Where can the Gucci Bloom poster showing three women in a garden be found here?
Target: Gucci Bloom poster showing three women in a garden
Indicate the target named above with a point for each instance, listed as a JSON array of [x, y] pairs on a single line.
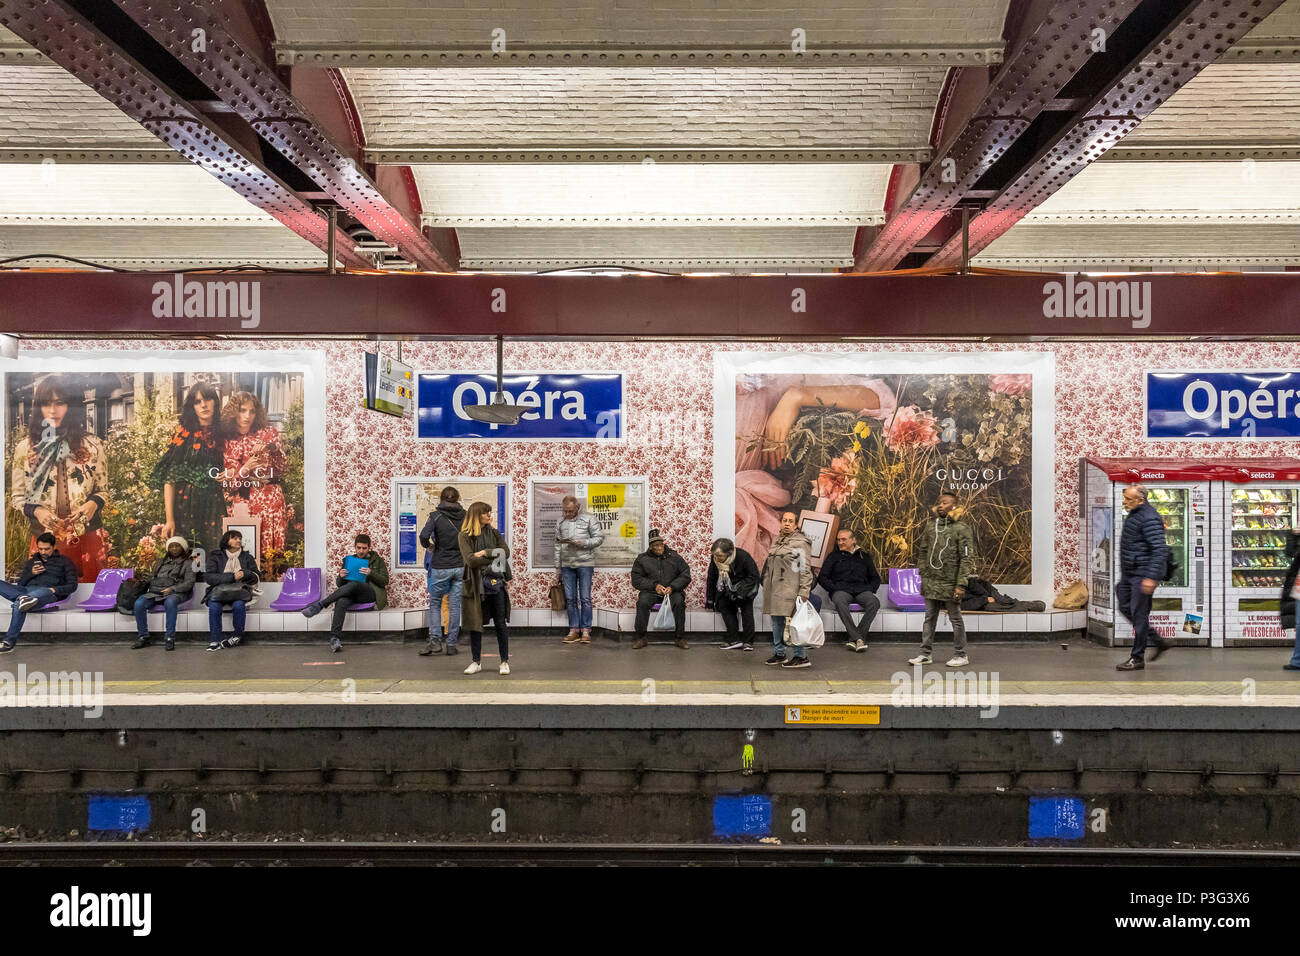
[[116, 460]]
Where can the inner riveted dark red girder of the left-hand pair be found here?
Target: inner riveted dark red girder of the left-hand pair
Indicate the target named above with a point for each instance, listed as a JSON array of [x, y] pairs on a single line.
[[241, 77]]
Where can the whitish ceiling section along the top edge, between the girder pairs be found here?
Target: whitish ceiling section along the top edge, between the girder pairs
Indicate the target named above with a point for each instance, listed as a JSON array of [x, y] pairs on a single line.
[[635, 23]]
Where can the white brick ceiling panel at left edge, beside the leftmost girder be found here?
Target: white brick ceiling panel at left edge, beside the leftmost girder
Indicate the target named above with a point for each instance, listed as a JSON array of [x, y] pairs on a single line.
[[47, 107]]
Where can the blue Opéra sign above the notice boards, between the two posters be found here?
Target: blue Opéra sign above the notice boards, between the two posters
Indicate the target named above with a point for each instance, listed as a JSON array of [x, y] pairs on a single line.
[[567, 406]]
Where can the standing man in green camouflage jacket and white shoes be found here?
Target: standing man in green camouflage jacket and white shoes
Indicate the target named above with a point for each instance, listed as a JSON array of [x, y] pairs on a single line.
[[947, 560]]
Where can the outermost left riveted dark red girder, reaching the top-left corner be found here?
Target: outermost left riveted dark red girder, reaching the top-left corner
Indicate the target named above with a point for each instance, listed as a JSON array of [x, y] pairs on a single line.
[[68, 40]]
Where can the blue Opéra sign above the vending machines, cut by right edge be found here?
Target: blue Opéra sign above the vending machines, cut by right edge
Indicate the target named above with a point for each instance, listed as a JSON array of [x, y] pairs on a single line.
[[1223, 405]]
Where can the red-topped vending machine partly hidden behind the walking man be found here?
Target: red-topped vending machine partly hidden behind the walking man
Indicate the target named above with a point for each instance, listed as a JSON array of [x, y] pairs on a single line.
[[1181, 494]]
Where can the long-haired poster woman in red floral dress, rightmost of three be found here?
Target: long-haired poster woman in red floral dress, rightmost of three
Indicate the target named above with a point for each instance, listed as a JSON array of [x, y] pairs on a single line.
[[254, 469]]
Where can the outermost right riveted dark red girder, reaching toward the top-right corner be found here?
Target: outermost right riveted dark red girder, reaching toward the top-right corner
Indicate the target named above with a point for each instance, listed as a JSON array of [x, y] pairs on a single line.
[[1195, 41]]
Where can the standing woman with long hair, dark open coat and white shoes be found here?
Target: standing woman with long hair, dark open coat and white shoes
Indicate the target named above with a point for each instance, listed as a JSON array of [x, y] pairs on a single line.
[[486, 598]]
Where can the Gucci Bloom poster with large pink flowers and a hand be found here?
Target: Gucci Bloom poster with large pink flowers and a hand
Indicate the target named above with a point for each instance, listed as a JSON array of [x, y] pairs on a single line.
[[877, 451]]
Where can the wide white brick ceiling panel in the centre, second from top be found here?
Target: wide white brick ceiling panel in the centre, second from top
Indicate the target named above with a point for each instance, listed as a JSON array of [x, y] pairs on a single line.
[[634, 107]]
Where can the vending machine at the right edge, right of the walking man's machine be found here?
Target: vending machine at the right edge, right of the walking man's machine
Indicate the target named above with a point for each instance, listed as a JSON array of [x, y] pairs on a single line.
[[1259, 500]]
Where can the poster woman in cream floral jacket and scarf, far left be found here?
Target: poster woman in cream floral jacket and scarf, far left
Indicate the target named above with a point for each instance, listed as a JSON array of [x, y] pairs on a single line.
[[59, 477]]
